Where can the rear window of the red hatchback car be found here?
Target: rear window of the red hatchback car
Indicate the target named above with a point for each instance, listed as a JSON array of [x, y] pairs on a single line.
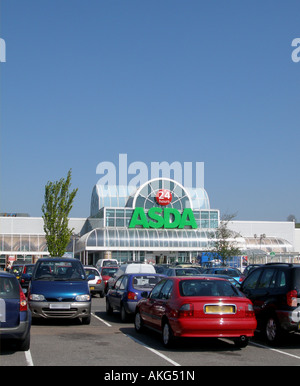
[[207, 288]]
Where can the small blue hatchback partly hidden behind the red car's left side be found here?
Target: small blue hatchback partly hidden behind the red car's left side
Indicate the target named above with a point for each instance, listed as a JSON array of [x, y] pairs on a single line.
[[126, 292]]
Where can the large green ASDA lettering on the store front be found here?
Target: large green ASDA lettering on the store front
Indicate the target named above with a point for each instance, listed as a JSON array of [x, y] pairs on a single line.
[[168, 218]]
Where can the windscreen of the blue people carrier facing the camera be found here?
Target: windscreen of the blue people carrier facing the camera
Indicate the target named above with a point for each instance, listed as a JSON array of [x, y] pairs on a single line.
[[59, 270]]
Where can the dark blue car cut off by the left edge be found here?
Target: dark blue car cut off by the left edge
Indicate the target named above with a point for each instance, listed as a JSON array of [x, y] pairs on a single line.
[[15, 316]]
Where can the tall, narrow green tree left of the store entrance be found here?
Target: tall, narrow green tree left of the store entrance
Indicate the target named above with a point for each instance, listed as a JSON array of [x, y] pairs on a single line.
[[56, 208]]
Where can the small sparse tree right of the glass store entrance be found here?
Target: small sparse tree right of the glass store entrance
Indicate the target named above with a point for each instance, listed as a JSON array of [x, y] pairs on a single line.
[[225, 243]]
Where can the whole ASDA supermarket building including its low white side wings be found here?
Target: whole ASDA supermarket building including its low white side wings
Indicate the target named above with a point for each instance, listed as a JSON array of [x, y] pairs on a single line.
[[159, 222]]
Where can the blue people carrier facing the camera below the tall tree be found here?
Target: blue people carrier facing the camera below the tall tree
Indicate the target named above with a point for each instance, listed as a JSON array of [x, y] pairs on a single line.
[[59, 289]]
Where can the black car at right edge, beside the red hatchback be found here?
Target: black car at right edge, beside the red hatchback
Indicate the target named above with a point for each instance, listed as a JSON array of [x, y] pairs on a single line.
[[274, 290]]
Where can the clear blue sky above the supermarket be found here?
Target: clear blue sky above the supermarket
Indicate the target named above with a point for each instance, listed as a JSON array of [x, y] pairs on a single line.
[[162, 80]]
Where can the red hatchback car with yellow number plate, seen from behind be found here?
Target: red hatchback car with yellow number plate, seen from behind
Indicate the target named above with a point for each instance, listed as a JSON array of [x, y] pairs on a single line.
[[194, 306]]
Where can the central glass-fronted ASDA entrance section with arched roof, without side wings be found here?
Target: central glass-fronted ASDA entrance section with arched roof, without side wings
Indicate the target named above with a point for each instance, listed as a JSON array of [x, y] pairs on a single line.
[[160, 222]]
